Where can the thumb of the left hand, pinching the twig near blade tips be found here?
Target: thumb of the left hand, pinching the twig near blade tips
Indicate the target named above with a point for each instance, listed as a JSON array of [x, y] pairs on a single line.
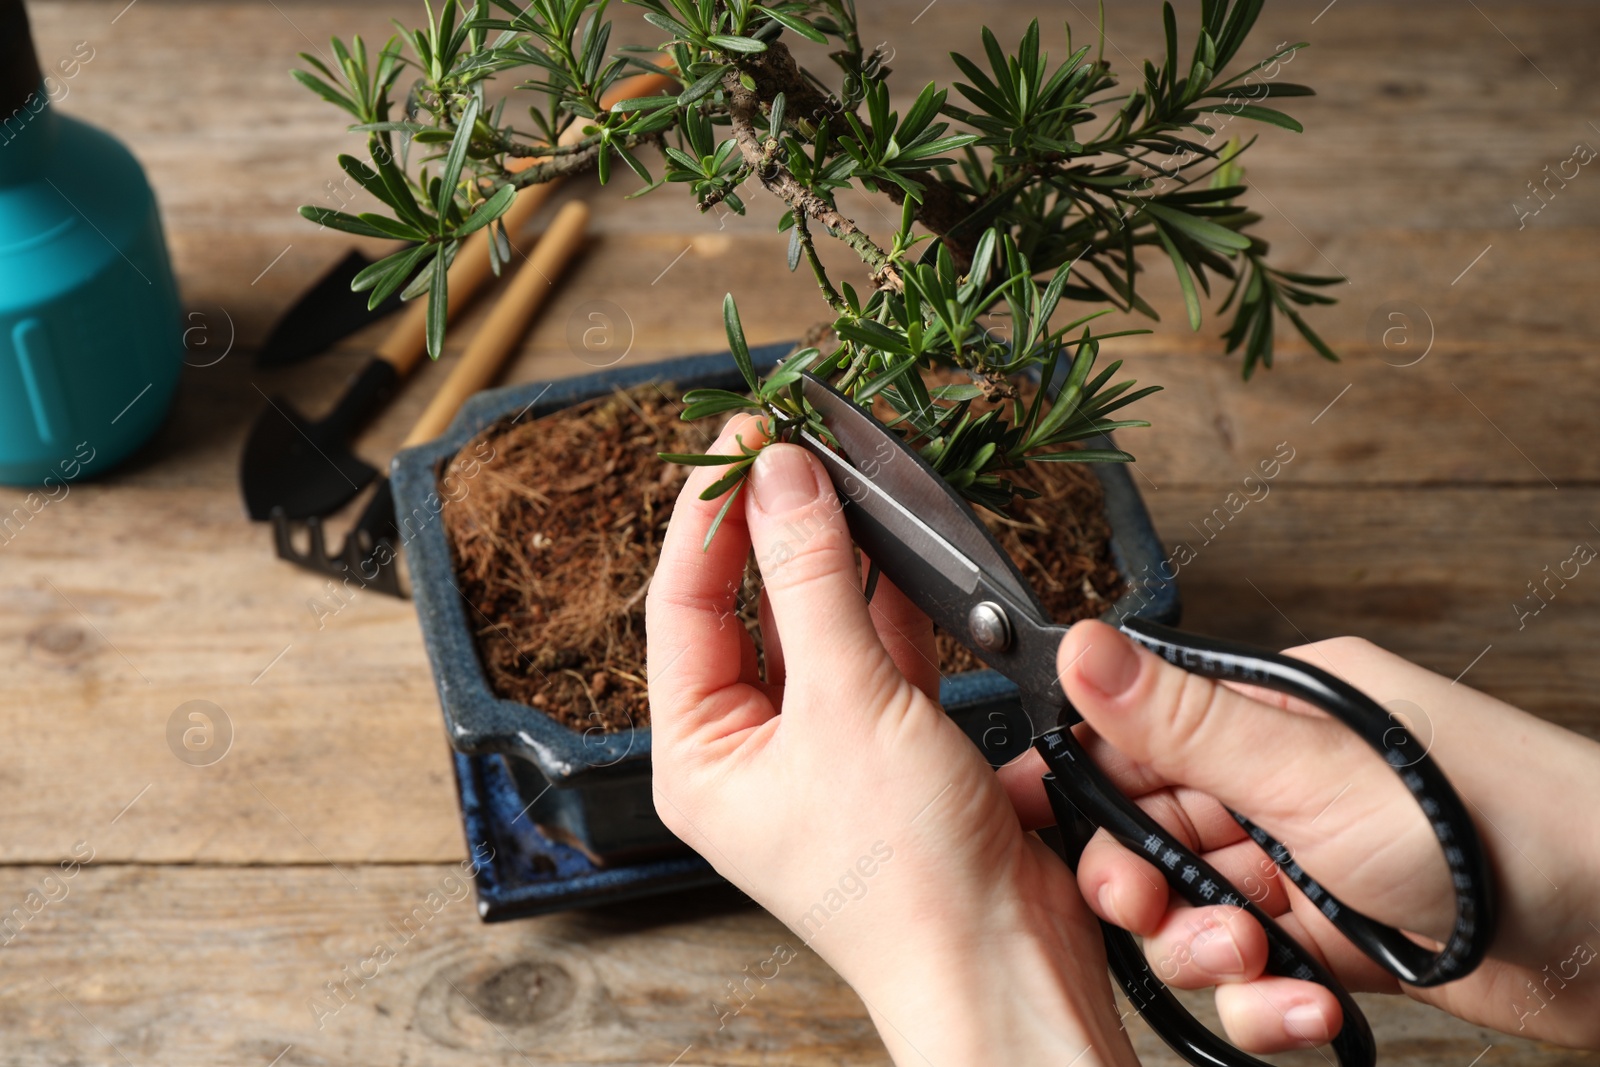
[[809, 569]]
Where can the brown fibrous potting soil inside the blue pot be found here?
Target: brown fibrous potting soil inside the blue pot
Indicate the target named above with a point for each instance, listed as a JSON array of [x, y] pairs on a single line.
[[558, 538]]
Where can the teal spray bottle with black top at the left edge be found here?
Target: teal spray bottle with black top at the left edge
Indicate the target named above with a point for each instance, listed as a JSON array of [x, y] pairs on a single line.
[[90, 324]]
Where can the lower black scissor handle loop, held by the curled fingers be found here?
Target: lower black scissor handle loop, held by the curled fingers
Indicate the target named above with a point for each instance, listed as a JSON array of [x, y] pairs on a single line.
[[1084, 799]]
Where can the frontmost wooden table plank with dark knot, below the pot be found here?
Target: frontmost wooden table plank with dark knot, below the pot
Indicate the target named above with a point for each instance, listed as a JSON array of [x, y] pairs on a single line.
[[246, 957]]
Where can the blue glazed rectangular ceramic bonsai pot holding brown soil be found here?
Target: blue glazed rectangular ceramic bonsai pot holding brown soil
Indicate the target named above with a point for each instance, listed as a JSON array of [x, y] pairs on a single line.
[[591, 788]]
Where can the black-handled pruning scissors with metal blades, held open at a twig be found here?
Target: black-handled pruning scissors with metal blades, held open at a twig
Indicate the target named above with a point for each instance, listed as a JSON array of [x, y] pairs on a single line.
[[932, 546]]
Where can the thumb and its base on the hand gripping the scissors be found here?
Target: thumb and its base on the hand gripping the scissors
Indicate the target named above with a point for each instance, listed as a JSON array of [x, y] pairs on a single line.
[[1305, 780]]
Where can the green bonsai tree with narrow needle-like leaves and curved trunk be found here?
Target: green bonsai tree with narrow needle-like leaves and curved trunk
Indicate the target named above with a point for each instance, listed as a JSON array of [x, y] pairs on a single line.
[[1030, 188]]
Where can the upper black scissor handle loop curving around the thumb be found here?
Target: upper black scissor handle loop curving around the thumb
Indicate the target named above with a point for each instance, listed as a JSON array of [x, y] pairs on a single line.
[[1449, 818]]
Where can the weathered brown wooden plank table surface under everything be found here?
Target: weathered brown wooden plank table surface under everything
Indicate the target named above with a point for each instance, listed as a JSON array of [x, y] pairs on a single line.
[[1431, 484]]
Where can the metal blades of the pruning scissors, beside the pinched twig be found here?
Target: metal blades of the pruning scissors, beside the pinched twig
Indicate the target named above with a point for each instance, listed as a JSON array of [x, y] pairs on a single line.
[[918, 500]]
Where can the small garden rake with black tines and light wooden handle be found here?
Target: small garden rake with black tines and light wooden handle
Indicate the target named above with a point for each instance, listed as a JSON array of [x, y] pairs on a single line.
[[370, 551]]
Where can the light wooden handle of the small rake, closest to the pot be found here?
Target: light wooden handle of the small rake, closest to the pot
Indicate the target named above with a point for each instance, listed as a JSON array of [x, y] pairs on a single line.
[[508, 322]]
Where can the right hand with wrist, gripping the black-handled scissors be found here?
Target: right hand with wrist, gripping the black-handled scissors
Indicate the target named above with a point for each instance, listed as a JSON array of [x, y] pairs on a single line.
[[1185, 748]]
